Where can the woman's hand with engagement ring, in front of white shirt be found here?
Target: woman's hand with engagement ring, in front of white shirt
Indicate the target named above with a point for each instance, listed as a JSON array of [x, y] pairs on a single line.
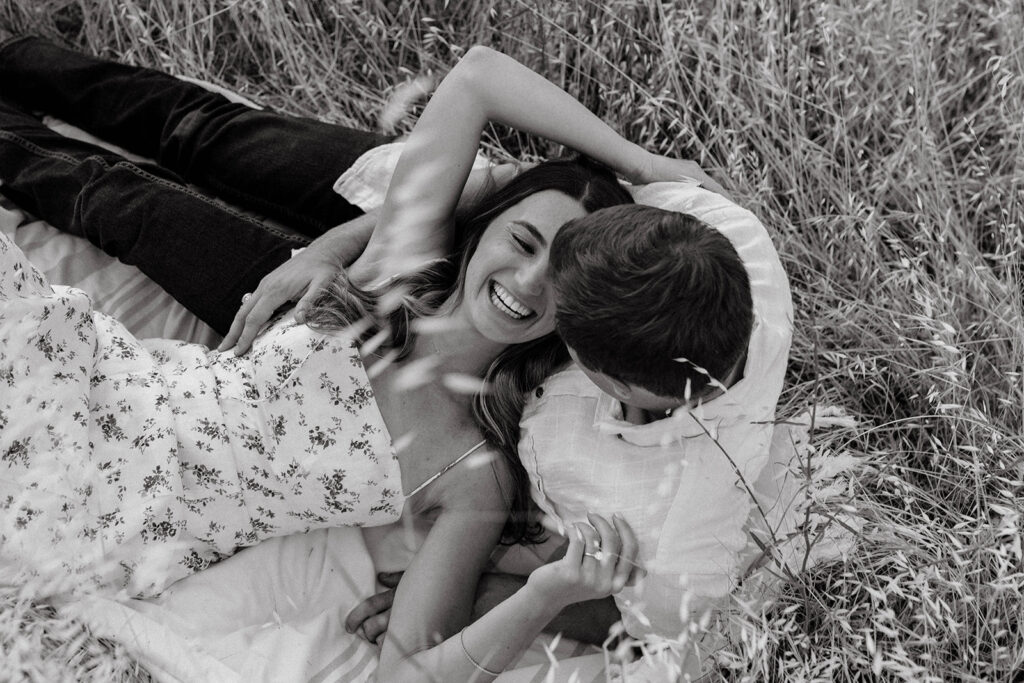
[[600, 563]]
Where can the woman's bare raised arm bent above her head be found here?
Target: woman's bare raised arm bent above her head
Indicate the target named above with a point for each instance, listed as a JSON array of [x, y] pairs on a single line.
[[488, 87]]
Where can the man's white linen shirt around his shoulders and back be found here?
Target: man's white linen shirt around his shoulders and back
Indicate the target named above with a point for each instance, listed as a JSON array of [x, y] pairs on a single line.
[[681, 483]]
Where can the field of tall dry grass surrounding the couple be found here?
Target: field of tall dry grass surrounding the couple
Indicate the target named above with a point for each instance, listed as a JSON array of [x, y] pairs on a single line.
[[881, 142]]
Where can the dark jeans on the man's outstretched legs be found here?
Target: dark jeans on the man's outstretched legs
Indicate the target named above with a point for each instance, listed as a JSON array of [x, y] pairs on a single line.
[[204, 254]]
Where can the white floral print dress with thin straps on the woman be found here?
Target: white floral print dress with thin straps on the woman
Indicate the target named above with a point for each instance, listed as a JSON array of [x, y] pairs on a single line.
[[132, 464]]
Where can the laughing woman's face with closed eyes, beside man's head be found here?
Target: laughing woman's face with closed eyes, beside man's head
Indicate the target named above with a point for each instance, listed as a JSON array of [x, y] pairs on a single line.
[[507, 295]]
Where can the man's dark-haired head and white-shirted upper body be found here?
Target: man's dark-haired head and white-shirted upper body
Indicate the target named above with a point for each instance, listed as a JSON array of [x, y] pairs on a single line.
[[680, 332]]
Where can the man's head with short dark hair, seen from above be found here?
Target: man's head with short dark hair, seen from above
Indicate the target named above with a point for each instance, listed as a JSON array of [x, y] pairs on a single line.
[[654, 305]]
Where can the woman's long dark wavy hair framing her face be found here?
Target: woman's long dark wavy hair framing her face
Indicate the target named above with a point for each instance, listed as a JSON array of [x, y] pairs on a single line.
[[518, 370]]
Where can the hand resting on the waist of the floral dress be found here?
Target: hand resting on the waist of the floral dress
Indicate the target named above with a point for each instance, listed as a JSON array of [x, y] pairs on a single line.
[[300, 279]]
